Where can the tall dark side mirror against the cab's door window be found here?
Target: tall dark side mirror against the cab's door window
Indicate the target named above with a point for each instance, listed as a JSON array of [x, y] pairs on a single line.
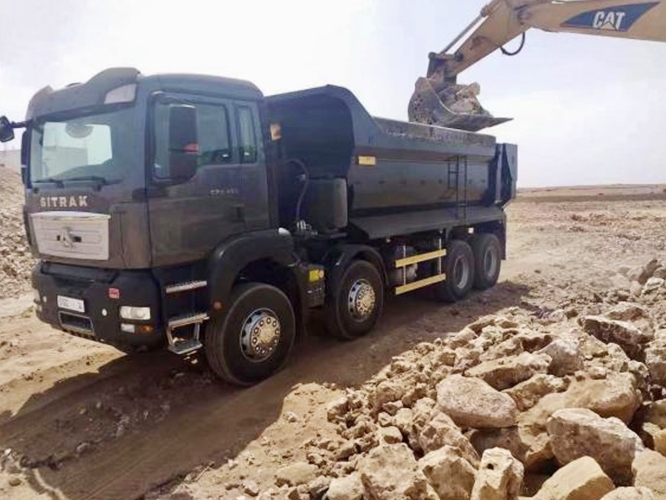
[[183, 141]]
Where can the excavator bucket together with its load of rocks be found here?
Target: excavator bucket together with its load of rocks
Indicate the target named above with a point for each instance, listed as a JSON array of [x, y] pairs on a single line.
[[452, 106]]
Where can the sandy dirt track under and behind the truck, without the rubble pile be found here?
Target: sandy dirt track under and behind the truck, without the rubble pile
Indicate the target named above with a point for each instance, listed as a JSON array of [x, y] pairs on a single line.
[[80, 420]]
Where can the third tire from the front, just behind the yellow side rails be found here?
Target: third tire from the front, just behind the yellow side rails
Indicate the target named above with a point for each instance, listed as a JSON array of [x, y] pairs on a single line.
[[459, 270]]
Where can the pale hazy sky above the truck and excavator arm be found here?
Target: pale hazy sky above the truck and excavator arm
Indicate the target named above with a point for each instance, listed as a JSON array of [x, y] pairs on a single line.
[[587, 110]]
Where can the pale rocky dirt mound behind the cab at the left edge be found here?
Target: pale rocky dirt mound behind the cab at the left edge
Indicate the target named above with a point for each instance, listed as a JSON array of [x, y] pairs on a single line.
[[15, 258]]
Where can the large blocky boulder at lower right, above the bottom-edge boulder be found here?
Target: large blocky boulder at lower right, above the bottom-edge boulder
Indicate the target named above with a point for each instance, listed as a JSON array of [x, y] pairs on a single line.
[[578, 432]]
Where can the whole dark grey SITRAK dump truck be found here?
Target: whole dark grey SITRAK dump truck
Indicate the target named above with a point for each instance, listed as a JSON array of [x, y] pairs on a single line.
[[192, 212]]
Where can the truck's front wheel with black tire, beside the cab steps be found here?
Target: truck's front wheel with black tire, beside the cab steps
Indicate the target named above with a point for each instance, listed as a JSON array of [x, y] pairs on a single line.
[[254, 338]]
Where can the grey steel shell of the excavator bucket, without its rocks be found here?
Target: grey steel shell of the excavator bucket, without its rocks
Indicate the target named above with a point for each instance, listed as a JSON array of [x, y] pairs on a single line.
[[427, 107]]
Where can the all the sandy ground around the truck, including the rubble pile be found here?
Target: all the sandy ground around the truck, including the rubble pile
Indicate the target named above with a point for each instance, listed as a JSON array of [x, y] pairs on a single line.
[[548, 386]]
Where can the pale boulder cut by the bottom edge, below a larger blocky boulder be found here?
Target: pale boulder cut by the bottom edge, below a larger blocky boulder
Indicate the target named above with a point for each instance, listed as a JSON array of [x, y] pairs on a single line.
[[582, 479]]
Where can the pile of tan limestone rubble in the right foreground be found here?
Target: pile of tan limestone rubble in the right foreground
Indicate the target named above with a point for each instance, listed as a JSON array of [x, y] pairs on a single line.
[[563, 406]]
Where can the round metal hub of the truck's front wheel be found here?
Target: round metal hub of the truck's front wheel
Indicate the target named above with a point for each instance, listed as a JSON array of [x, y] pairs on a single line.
[[260, 335]]
